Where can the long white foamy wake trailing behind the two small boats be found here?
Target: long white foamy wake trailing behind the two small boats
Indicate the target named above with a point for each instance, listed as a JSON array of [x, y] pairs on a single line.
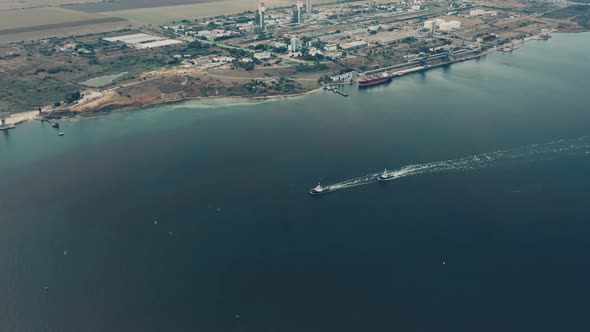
[[530, 153]]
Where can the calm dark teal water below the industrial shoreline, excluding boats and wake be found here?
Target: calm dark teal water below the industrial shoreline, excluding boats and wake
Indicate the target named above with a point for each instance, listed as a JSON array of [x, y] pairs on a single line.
[[240, 245]]
